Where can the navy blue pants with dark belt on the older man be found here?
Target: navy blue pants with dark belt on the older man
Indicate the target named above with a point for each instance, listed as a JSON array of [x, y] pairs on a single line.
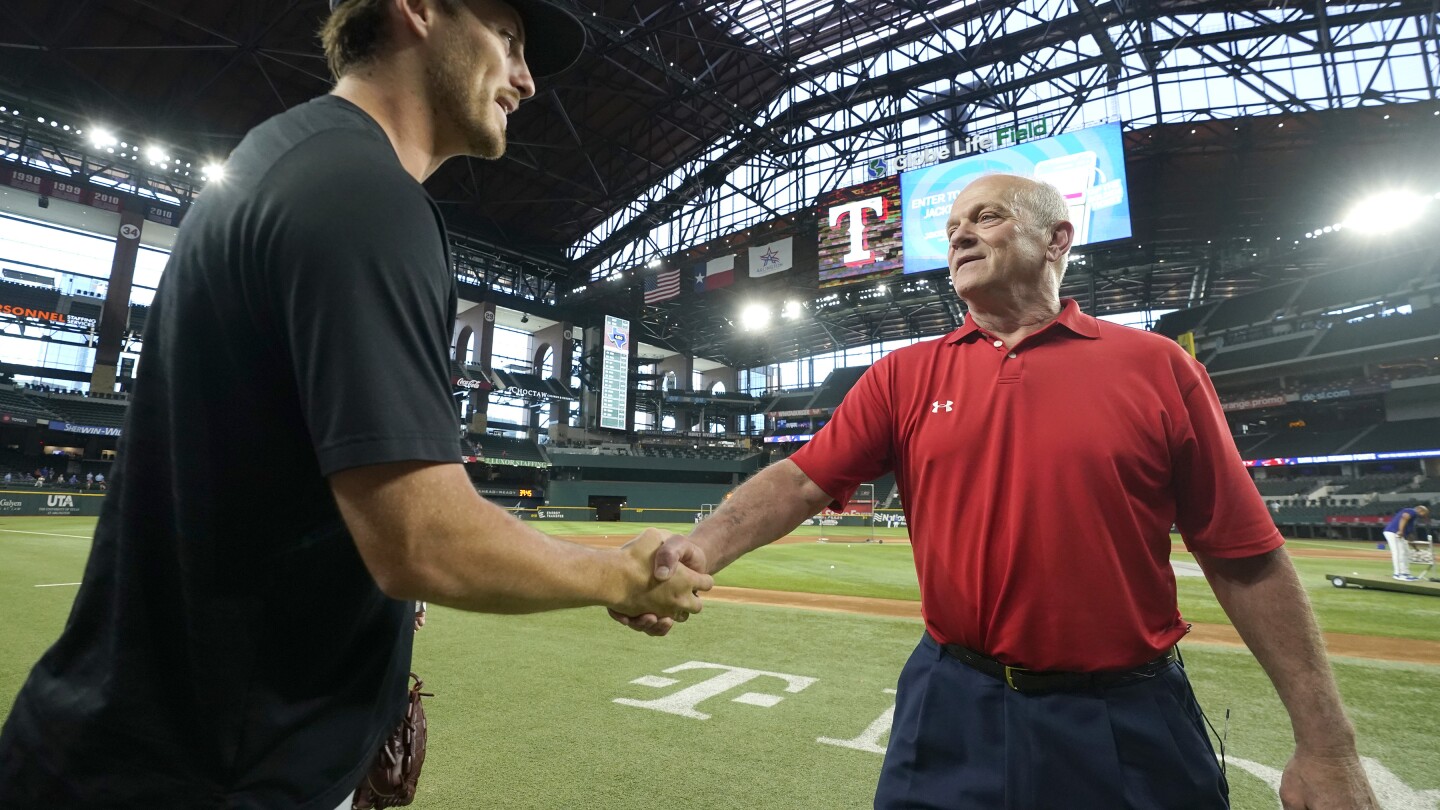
[[963, 740]]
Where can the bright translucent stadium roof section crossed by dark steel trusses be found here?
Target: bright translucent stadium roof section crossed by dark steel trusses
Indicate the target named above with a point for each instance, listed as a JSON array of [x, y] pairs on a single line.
[[866, 80]]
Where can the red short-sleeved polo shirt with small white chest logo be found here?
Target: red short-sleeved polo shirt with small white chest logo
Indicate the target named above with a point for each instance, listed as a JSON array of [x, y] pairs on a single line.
[[1040, 484]]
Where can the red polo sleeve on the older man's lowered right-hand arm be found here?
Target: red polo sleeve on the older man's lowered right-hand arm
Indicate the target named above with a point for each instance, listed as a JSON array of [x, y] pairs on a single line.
[[1219, 509]]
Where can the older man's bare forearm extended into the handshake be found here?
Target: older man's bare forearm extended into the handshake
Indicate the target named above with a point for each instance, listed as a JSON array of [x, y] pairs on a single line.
[[764, 509]]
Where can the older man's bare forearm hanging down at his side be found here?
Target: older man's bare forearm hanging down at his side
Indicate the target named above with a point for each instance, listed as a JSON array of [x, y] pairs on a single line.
[[1269, 607]]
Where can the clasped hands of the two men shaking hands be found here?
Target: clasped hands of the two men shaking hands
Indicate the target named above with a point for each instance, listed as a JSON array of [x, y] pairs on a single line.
[[665, 576]]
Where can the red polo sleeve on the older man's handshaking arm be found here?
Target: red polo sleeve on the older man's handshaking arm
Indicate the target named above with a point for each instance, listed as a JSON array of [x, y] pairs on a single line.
[[858, 445]]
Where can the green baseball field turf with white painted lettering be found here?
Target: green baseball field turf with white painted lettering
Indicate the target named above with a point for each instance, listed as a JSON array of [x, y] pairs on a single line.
[[525, 714]]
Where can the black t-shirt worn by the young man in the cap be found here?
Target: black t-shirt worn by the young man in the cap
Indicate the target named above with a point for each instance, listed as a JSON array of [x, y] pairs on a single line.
[[228, 648]]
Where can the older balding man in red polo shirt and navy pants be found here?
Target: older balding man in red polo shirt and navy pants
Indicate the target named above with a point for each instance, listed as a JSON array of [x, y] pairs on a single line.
[[1043, 458]]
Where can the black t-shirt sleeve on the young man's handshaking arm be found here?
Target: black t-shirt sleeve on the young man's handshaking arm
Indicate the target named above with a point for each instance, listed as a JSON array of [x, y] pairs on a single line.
[[365, 301]]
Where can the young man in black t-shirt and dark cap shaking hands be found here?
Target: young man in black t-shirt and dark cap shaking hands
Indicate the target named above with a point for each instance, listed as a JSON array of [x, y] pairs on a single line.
[[243, 639]]
